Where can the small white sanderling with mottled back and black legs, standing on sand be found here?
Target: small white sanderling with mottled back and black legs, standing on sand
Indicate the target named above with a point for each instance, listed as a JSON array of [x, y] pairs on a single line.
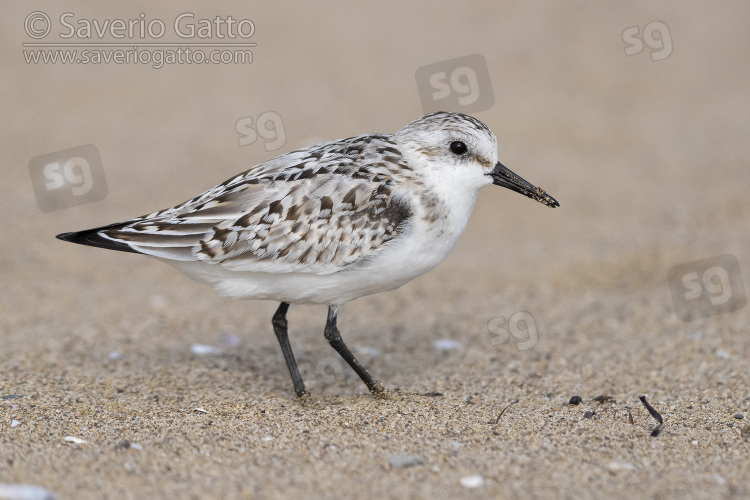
[[328, 223]]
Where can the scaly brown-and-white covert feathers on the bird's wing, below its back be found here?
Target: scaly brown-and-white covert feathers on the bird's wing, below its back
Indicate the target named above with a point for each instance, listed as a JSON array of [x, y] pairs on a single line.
[[318, 225]]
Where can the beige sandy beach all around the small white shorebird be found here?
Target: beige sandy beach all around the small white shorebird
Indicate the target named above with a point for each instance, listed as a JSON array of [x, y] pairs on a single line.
[[647, 157]]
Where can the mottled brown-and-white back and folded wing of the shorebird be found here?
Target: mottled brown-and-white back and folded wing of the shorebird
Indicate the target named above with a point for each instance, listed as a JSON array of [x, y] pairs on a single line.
[[314, 210]]
